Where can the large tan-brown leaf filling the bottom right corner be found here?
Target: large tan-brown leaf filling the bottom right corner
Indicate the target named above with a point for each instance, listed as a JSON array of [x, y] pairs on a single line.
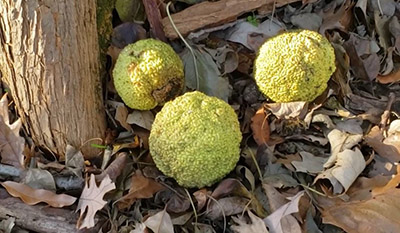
[[379, 213]]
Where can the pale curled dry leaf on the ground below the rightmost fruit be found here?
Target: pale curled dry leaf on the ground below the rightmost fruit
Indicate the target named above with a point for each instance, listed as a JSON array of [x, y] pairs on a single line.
[[349, 165]]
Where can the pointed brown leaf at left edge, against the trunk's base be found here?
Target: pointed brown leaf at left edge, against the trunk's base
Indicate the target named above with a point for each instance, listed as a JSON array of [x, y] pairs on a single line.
[[12, 144]]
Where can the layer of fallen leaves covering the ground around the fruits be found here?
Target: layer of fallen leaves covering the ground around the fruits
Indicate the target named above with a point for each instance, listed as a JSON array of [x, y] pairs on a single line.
[[326, 166]]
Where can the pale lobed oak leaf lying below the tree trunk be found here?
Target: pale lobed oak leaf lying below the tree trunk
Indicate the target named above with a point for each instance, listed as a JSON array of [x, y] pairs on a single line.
[[91, 200]]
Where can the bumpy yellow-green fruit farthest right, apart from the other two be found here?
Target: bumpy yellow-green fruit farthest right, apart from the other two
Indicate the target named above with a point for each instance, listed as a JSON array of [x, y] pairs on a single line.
[[294, 66]]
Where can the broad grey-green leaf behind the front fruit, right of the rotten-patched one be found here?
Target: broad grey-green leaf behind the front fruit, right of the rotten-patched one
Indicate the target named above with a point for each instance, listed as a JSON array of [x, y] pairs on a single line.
[[208, 80]]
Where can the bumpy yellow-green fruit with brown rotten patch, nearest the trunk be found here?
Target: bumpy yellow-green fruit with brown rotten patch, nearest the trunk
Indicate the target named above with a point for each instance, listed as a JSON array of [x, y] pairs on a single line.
[[148, 73]]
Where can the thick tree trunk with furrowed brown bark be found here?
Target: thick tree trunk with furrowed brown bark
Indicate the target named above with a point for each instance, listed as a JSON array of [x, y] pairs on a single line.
[[49, 58]]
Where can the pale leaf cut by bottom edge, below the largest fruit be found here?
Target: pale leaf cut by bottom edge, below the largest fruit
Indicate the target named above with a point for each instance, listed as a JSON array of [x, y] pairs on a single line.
[[160, 223]]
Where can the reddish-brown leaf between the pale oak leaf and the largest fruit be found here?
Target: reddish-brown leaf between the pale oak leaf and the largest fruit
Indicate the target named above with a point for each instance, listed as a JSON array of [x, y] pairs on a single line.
[[141, 187]]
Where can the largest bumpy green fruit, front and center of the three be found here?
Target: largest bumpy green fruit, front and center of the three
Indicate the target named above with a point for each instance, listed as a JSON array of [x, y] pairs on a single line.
[[195, 139]]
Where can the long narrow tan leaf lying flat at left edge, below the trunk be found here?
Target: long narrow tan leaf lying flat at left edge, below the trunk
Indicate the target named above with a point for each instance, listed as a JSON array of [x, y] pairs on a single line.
[[32, 196]]
